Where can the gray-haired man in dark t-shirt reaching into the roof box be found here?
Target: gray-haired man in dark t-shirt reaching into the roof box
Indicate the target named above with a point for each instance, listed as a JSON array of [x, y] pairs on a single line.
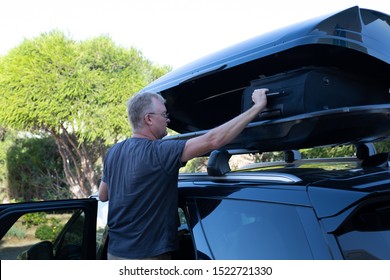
[[140, 176]]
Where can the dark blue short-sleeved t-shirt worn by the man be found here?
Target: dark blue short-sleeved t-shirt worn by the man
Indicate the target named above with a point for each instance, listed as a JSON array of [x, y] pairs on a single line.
[[142, 176]]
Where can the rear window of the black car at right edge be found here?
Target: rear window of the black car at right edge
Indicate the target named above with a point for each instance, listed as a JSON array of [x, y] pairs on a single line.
[[366, 235]]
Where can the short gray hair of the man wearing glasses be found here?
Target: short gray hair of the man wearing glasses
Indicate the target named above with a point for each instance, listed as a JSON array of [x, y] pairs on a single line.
[[139, 105]]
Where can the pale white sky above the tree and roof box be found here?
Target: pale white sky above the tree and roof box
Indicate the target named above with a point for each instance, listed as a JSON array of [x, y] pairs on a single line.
[[167, 32]]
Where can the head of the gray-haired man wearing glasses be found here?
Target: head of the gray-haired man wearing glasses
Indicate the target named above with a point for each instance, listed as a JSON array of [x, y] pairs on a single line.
[[147, 110]]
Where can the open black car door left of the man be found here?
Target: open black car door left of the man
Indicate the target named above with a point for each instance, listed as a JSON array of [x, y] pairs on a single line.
[[62, 229]]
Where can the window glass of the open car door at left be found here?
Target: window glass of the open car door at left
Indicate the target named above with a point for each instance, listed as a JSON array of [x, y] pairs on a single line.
[[31, 229]]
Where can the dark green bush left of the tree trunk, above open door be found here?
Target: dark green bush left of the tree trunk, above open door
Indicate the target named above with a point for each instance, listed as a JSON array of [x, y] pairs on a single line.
[[35, 170]]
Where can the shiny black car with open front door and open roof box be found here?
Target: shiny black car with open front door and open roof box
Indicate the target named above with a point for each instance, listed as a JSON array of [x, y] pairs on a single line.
[[295, 208]]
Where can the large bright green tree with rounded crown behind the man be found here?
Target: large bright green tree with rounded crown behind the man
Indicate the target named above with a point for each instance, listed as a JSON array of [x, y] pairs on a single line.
[[76, 93]]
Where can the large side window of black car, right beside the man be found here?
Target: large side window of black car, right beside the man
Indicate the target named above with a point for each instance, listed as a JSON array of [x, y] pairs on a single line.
[[236, 229]]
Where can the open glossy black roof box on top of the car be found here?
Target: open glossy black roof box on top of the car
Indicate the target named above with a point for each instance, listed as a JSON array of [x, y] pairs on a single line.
[[355, 41]]
